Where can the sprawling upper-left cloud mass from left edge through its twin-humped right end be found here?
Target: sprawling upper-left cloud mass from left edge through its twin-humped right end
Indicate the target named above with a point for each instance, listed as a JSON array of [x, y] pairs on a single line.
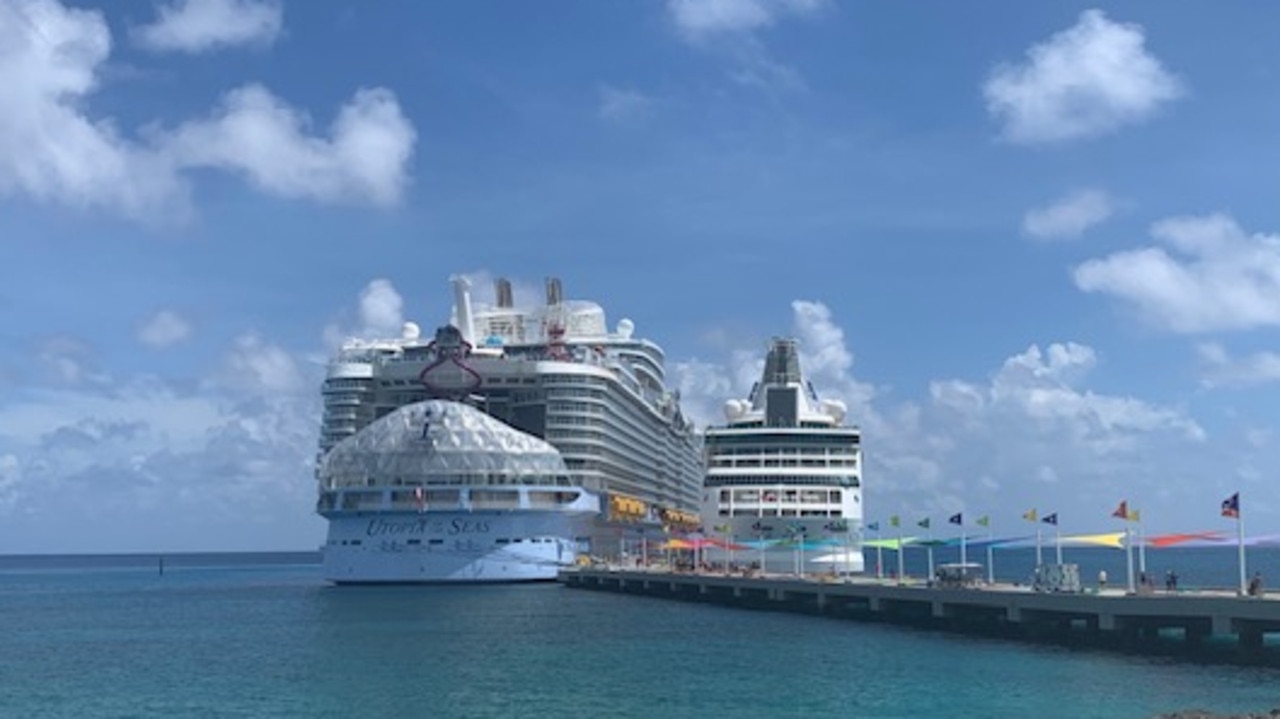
[[54, 150]]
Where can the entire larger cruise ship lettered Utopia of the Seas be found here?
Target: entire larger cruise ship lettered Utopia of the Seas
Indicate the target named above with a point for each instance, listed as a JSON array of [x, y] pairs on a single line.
[[541, 379]]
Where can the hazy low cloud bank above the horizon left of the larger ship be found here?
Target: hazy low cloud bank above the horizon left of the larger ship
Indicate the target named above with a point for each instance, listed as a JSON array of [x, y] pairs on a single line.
[[145, 464]]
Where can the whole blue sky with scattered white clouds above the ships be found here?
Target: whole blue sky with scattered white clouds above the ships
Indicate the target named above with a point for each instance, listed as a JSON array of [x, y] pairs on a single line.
[[1034, 246]]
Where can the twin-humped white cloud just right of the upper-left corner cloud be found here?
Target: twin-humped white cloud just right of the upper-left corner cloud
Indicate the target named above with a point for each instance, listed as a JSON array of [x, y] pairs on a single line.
[[259, 136]]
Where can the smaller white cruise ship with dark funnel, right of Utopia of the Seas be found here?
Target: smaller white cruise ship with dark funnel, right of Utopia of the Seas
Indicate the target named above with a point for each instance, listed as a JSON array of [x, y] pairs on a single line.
[[784, 475]]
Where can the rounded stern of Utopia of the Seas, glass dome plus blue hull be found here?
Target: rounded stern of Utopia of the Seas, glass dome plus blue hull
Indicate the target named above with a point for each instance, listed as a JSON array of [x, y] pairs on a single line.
[[441, 492]]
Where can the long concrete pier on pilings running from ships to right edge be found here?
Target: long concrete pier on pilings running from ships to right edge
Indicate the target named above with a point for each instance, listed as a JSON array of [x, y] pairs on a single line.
[[1214, 625]]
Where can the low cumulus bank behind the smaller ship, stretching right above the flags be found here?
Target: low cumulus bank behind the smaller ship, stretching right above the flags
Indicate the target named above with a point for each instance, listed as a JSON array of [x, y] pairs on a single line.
[[1031, 434]]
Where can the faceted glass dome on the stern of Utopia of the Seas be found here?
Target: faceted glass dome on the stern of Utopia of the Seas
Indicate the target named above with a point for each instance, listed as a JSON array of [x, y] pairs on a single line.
[[440, 442]]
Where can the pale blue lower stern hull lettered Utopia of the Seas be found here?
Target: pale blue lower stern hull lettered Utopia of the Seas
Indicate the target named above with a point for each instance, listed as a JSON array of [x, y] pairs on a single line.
[[454, 547]]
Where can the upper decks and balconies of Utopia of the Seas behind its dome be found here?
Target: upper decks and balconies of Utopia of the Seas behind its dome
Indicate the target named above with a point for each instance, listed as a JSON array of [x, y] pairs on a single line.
[[554, 372]]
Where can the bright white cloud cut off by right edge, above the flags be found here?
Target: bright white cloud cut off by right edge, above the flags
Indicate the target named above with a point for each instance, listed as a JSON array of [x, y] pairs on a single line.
[[1212, 276]]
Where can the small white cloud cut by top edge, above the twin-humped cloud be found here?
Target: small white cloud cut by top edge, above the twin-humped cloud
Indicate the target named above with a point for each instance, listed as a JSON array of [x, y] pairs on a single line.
[[199, 26]]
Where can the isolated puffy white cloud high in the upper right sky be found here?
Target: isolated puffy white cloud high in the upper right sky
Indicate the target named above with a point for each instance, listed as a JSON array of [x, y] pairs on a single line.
[[1082, 83]]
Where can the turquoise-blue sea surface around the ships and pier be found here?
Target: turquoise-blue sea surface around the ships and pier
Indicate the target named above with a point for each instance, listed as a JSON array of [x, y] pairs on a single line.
[[262, 635]]
